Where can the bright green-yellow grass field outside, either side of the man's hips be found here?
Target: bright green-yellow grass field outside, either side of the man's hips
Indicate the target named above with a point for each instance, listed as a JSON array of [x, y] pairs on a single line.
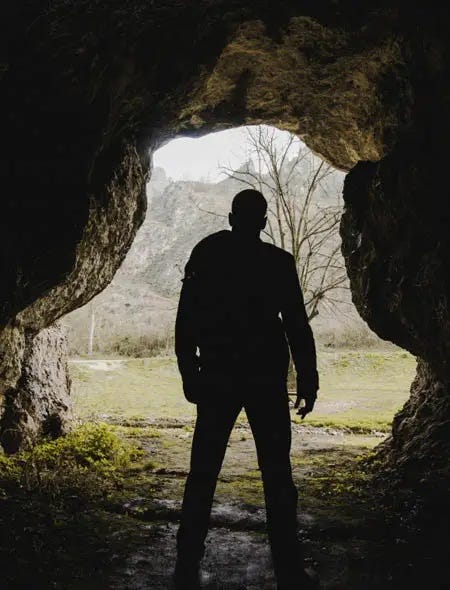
[[360, 391]]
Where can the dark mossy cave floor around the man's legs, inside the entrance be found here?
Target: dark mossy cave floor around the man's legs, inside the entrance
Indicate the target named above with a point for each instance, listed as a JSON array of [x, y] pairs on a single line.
[[126, 540]]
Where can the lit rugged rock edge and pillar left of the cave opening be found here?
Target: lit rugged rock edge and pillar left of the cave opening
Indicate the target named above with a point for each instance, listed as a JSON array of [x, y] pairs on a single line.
[[109, 231]]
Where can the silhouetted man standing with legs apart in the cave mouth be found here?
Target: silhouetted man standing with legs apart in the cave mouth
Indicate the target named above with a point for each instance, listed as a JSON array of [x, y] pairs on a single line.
[[240, 307]]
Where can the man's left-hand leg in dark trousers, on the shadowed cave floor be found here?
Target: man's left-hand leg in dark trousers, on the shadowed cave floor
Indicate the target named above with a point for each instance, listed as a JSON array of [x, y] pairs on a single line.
[[215, 420]]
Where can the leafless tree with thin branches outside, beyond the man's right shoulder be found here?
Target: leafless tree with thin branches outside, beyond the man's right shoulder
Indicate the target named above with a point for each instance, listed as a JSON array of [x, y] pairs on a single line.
[[290, 177]]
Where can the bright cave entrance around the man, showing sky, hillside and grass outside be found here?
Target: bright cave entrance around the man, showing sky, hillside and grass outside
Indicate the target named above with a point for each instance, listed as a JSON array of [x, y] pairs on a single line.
[[124, 372]]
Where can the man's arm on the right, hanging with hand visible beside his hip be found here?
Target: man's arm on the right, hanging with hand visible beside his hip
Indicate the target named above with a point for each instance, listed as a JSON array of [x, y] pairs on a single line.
[[301, 339]]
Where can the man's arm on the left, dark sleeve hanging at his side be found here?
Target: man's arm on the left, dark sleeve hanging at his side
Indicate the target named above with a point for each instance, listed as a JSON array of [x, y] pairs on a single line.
[[185, 333]]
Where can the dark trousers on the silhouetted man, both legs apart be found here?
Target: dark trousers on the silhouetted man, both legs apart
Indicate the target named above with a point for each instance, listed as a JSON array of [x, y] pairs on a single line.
[[267, 410]]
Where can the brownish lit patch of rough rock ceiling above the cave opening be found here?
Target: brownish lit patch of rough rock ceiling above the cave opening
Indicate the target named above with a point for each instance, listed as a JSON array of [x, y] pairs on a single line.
[[309, 80]]
